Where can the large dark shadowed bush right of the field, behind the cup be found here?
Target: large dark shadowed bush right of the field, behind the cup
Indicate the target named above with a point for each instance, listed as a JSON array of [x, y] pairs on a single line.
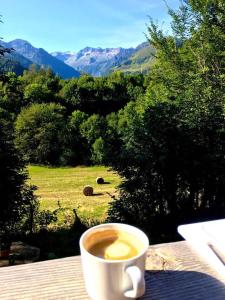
[[174, 171]]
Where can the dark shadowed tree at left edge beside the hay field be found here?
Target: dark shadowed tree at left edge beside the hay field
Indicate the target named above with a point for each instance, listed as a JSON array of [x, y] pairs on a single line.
[[14, 200]]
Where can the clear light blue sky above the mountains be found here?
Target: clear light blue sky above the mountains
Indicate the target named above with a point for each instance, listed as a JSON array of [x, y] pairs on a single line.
[[70, 25]]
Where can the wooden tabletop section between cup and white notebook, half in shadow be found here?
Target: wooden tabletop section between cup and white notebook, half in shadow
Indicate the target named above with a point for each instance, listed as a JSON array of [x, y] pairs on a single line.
[[176, 272]]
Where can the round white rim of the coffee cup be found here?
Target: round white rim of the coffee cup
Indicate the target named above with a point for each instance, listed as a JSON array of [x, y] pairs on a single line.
[[123, 226]]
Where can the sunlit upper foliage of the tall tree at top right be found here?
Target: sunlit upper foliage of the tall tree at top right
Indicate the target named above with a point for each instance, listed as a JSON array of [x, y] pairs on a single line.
[[193, 57]]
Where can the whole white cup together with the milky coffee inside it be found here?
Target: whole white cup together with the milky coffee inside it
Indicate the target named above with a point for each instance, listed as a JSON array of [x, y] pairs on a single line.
[[113, 259]]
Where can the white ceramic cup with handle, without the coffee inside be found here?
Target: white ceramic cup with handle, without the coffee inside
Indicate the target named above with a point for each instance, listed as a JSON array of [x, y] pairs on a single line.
[[114, 279]]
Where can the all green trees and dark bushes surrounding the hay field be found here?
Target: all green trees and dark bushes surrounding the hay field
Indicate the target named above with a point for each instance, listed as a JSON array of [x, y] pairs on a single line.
[[163, 133]]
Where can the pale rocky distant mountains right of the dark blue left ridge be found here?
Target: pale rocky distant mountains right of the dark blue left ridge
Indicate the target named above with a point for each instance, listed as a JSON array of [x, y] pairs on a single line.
[[100, 62]]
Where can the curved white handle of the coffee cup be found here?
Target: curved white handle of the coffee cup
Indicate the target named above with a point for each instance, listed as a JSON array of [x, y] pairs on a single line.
[[137, 278]]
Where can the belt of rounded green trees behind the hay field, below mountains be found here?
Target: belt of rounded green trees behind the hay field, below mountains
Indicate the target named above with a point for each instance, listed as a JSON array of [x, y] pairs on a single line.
[[64, 140]]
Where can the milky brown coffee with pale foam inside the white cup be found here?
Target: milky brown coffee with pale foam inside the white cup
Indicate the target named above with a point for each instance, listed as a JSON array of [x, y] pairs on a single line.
[[113, 244]]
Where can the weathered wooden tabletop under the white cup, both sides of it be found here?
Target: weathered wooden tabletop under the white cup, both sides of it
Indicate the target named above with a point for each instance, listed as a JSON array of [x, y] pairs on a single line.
[[173, 271]]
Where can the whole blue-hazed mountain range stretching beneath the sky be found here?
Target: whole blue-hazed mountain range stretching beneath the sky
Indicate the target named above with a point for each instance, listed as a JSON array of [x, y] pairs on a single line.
[[94, 61]]
